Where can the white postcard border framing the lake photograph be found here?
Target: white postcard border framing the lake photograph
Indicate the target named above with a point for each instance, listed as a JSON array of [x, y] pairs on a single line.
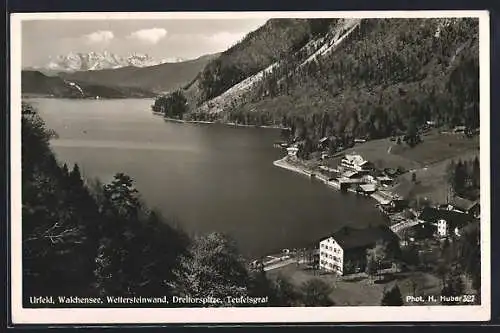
[[440, 313]]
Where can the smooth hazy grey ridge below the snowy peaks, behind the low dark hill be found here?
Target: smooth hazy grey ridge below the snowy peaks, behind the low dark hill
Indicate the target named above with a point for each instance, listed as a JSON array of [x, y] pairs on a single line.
[[160, 78]]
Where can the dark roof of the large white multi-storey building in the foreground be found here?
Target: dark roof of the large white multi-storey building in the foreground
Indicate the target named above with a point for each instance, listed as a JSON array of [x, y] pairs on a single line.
[[352, 238]]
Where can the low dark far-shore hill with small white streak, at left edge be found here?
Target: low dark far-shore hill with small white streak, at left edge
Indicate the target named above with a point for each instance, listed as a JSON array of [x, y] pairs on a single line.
[[37, 83]]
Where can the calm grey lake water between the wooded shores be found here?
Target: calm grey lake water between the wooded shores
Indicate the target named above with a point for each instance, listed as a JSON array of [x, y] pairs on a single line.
[[206, 177]]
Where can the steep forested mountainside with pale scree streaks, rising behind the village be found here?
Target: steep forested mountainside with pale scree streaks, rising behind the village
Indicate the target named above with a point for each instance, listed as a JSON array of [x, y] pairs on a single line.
[[385, 77]]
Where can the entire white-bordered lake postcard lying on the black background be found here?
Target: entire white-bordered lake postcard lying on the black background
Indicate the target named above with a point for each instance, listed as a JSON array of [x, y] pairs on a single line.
[[250, 167]]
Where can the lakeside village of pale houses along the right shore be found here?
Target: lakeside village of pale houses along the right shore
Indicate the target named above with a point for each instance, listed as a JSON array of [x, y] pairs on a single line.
[[344, 253]]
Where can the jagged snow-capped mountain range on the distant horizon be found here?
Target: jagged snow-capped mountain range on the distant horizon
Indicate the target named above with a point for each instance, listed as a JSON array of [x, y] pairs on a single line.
[[101, 60]]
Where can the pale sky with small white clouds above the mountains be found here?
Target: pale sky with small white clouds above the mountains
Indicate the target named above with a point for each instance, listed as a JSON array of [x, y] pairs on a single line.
[[161, 39]]
